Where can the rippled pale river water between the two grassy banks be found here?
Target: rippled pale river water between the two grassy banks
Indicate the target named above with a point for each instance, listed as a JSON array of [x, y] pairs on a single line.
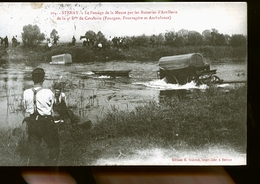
[[92, 96]]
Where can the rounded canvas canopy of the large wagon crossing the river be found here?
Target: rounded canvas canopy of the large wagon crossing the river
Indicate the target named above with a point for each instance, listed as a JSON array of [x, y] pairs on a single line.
[[181, 61]]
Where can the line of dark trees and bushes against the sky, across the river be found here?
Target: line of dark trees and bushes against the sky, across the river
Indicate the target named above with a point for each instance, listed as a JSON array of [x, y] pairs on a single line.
[[32, 35]]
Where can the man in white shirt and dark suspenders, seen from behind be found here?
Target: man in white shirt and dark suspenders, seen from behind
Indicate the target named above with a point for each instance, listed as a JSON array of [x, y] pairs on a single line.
[[38, 102]]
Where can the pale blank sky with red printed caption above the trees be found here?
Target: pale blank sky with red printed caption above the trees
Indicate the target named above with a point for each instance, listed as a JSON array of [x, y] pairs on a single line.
[[123, 19]]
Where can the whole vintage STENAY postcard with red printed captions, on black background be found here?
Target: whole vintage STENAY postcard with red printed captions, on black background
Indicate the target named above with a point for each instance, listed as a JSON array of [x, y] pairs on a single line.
[[97, 84]]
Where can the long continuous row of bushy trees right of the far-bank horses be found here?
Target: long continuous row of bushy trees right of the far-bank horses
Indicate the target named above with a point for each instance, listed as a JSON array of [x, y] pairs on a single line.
[[180, 39]]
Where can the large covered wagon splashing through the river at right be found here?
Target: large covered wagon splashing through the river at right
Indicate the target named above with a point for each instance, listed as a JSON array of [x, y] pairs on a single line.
[[181, 69]]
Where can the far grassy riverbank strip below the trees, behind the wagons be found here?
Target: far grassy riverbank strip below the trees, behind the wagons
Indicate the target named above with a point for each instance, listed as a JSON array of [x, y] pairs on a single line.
[[32, 56]]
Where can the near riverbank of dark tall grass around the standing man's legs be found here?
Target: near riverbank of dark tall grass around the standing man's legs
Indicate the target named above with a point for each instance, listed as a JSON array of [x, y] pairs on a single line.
[[209, 118]]
